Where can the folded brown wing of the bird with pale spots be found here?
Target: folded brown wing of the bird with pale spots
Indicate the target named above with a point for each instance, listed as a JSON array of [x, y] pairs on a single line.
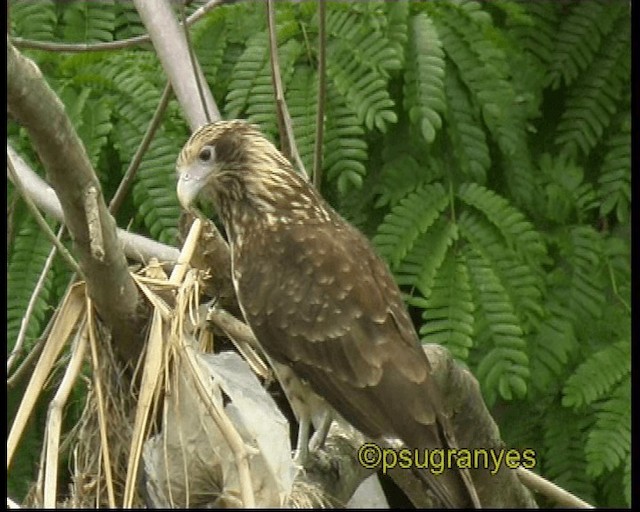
[[321, 301]]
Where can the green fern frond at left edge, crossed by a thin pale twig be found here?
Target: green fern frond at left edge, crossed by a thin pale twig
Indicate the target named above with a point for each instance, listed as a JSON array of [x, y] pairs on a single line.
[[28, 254]]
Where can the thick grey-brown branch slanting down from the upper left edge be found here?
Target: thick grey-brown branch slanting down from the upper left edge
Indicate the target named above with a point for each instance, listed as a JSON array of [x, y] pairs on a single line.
[[31, 101]]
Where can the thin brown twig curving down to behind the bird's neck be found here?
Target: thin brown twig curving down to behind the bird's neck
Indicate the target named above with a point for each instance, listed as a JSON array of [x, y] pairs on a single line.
[[287, 139]]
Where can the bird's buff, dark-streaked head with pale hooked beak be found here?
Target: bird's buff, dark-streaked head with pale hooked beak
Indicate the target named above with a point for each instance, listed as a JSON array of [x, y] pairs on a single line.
[[231, 164]]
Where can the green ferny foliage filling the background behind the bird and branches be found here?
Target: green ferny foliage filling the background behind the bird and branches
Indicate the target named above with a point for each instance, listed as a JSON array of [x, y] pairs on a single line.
[[484, 147]]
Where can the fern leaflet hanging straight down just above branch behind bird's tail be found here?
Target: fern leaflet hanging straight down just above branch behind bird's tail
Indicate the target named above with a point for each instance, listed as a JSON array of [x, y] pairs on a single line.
[[448, 310]]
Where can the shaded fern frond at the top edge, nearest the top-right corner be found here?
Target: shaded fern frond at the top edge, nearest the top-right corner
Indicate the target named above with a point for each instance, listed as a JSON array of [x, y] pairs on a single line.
[[579, 37]]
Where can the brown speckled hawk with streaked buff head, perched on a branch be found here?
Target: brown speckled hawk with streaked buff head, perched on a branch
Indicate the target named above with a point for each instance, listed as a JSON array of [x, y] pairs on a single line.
[[316, 294]]
